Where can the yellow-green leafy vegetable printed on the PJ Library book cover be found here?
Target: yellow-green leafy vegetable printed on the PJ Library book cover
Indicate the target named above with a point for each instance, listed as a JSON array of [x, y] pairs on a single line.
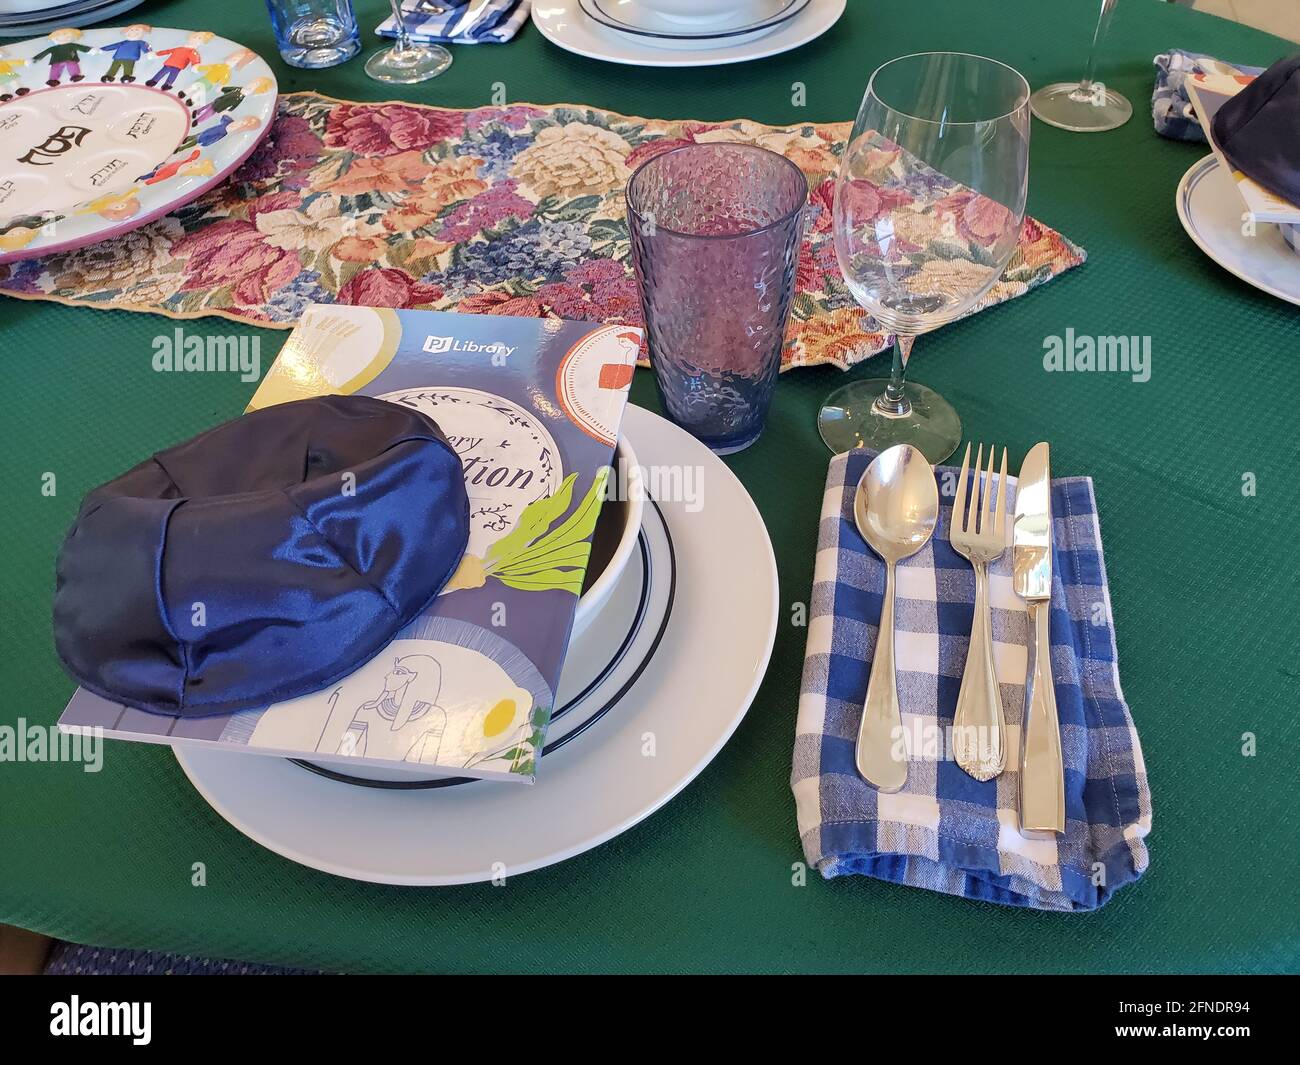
[[534, 557]]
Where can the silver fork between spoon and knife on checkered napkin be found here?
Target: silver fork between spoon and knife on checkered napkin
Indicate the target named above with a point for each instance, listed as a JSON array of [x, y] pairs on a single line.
[[980, 535]]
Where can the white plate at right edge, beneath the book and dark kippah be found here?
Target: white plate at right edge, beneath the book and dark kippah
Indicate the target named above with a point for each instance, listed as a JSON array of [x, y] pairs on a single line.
[[1211, 211]]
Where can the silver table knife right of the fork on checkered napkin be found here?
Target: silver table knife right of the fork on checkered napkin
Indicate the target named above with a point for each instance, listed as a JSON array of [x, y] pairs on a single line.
[[1042, 772]]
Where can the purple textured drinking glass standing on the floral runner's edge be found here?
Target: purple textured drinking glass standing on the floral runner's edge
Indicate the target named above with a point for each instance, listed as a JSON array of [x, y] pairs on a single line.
[[716, 240]]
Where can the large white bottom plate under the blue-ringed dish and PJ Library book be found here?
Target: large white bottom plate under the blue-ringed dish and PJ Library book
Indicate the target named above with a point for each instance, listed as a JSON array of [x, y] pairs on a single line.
[[670, 724]]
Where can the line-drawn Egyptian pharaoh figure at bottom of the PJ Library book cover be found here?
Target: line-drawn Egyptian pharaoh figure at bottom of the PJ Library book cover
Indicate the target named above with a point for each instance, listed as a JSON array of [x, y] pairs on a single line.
[[404, 721]]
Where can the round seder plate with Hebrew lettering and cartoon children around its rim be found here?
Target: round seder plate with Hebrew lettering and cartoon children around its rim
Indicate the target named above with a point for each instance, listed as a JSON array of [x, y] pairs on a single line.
[[105, 131]]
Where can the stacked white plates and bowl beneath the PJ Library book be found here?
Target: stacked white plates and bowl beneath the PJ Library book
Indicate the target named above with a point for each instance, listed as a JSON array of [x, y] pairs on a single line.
[[658, 676]]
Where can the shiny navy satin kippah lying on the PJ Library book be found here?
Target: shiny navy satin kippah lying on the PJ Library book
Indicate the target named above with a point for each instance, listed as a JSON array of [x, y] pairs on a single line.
[[263, 560]]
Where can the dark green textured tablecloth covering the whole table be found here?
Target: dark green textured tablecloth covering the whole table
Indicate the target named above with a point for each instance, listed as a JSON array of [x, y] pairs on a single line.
[[1204, 600]]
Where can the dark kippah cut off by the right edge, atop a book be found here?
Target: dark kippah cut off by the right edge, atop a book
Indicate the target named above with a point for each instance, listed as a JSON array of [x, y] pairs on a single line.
[[1259, 129]]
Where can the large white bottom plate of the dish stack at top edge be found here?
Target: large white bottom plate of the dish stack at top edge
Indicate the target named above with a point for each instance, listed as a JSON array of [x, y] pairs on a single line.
[[565, 24]]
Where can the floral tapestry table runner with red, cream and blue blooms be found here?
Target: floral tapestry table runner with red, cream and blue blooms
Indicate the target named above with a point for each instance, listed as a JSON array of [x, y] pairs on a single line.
[[512, 210]]
